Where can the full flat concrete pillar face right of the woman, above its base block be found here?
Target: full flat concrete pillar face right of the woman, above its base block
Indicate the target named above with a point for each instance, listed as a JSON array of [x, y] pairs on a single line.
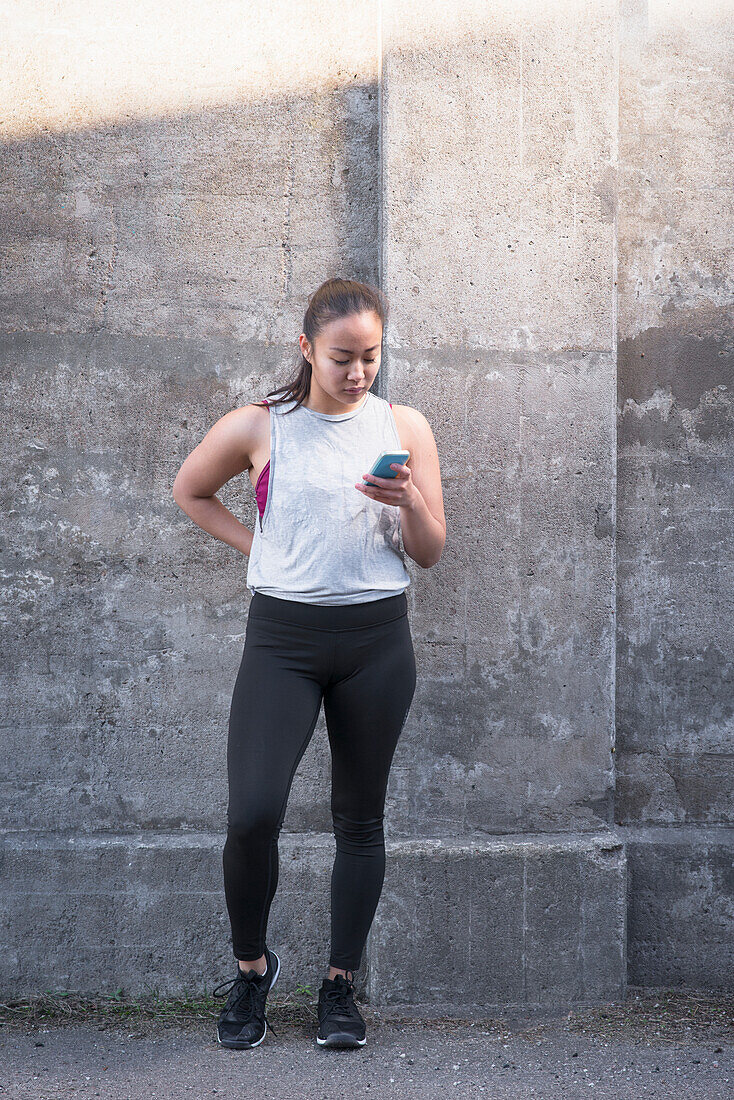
[[499, 259]]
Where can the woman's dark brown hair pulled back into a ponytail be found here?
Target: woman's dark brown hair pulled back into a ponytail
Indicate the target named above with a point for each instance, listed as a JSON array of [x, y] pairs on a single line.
[[334, 300]]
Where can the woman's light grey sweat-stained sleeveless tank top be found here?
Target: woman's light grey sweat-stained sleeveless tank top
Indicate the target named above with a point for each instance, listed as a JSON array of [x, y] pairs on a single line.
[[321, 541]]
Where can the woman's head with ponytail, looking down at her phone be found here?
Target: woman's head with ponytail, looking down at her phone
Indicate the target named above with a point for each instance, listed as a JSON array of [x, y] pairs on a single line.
[[341, 345]]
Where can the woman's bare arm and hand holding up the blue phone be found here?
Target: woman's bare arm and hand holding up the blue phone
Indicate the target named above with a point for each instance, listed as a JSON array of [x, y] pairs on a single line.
[[417, 490]]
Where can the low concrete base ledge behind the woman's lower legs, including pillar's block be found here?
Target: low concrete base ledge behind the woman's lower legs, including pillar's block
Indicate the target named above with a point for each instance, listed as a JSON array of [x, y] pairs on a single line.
[[542, 919]]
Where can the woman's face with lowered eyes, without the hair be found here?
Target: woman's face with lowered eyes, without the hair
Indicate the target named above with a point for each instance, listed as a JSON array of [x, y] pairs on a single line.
[[346, 357]]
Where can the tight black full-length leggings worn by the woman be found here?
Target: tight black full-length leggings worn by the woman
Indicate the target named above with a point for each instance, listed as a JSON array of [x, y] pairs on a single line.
[[359, 659]]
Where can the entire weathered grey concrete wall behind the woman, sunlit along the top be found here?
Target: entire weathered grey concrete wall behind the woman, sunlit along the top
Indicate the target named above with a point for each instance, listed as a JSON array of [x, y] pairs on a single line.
[[545, 219]]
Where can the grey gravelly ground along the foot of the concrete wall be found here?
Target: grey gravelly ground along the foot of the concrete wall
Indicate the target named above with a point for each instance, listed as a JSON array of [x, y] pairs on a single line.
[[664, 1046]]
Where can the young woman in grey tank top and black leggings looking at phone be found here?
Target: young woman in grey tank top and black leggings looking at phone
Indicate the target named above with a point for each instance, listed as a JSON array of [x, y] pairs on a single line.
[[327, 623]]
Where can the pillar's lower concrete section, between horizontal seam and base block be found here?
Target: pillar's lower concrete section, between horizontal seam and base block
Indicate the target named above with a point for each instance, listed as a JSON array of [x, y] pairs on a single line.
[[512, 727]]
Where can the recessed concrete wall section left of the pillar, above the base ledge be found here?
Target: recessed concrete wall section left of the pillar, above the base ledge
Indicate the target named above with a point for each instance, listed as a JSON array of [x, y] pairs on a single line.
[[159, 272]]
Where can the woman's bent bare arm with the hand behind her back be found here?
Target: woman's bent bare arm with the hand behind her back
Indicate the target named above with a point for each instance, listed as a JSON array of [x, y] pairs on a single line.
[[223, 454]]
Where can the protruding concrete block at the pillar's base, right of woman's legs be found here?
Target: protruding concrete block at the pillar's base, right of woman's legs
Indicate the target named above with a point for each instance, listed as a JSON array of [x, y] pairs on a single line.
[[511, 921]]
